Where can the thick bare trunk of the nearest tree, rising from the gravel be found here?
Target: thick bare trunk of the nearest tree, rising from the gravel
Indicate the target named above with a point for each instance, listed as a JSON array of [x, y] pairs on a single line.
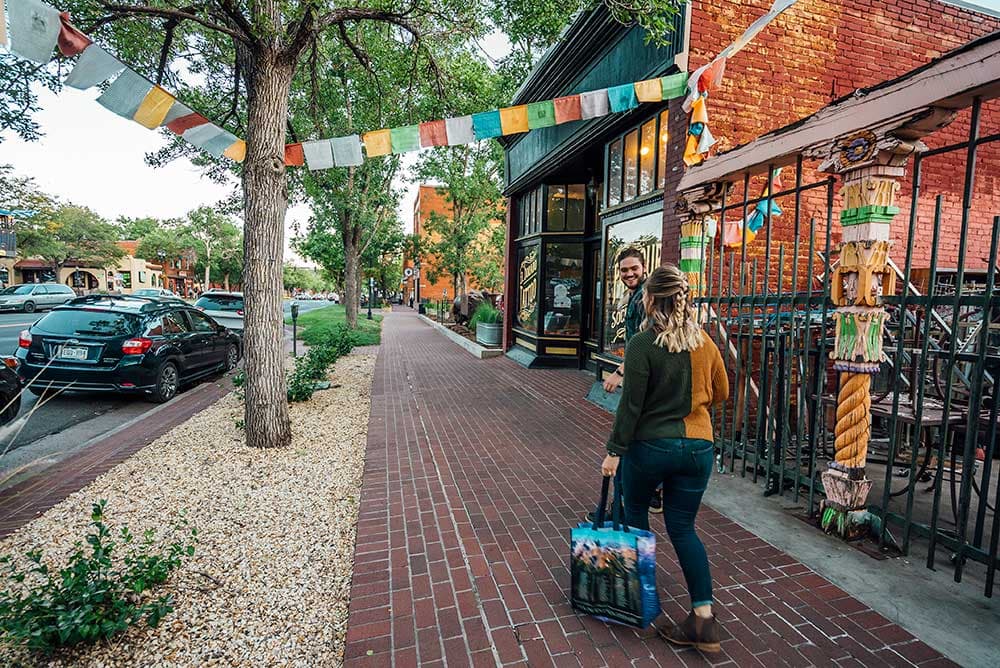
[[265, 197]]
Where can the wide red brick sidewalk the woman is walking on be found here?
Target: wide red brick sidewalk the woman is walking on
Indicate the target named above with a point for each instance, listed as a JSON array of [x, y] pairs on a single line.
[[475, 472]]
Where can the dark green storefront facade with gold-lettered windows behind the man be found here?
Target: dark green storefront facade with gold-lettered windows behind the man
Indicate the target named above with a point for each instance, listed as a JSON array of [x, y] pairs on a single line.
[[580, 192]]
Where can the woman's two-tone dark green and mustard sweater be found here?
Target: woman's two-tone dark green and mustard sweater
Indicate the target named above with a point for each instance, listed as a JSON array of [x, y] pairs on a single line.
[[667, 395]]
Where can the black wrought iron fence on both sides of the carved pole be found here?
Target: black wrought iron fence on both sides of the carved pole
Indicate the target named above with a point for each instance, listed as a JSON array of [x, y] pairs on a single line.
[[934, 404]]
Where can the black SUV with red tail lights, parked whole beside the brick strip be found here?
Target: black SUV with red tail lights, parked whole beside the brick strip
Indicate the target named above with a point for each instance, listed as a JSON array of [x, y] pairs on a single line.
[[108, 343]]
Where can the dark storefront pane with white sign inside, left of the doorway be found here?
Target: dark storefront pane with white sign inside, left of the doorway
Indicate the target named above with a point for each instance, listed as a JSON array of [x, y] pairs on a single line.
[[563, 289]]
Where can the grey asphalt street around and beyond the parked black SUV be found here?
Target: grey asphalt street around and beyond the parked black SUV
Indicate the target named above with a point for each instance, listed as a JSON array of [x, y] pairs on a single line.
[[69, 420]]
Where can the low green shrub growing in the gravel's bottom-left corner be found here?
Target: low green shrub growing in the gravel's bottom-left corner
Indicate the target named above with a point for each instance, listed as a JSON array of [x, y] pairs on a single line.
[[97, 595]]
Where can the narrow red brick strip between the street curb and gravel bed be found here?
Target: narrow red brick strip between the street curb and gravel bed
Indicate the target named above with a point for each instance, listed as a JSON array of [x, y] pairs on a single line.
[[23, 502]]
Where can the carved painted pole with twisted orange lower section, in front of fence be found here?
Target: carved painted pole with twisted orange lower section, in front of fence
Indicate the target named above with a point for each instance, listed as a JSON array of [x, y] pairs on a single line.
[[871, 168]]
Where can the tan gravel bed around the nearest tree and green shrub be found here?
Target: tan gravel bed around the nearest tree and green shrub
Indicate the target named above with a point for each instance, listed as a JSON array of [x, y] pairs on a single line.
[[270, 580]]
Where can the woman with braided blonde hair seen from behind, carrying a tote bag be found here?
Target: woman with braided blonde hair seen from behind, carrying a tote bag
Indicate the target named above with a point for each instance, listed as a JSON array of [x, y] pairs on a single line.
[[663, 433]]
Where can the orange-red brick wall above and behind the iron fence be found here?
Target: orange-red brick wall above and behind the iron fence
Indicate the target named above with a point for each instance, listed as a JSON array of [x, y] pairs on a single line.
[[822, 50]]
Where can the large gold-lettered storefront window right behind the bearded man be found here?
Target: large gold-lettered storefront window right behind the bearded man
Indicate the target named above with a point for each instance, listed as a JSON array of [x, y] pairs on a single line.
[[645, 234]]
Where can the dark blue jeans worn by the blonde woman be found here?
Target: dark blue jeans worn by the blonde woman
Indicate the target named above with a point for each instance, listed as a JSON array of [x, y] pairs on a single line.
[[682, 466]]
